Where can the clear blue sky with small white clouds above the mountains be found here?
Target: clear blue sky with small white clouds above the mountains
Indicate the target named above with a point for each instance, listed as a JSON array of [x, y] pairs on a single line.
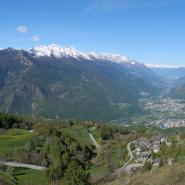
[[151, 31]]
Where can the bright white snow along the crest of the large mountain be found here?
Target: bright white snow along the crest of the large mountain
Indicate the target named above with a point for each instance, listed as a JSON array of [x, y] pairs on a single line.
[[59, 51]]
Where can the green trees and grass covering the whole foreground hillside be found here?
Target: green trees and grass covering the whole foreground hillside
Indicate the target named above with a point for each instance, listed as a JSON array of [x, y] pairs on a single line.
[[70, 156]]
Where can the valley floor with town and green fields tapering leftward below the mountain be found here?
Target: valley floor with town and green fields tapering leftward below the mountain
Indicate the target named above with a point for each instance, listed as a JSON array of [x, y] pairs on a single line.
[[161, 112]]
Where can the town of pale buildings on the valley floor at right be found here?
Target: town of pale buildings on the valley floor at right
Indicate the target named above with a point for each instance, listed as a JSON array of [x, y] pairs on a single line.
[[164, 112]]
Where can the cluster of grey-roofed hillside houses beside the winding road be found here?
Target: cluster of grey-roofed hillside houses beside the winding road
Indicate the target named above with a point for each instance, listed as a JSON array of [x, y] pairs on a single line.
[[145, 148]]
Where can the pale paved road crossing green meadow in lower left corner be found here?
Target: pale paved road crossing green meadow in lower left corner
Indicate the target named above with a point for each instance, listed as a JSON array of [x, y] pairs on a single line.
[[22, 165]]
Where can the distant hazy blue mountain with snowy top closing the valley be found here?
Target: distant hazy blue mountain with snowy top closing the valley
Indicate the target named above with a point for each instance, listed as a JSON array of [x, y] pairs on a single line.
[[169, 72]]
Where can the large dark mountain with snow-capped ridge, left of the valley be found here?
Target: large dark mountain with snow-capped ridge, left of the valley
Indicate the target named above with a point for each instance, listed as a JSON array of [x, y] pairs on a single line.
[[54, 81]]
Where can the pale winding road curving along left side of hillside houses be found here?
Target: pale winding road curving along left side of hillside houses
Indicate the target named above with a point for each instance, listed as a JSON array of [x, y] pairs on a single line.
[[126, 168]]
